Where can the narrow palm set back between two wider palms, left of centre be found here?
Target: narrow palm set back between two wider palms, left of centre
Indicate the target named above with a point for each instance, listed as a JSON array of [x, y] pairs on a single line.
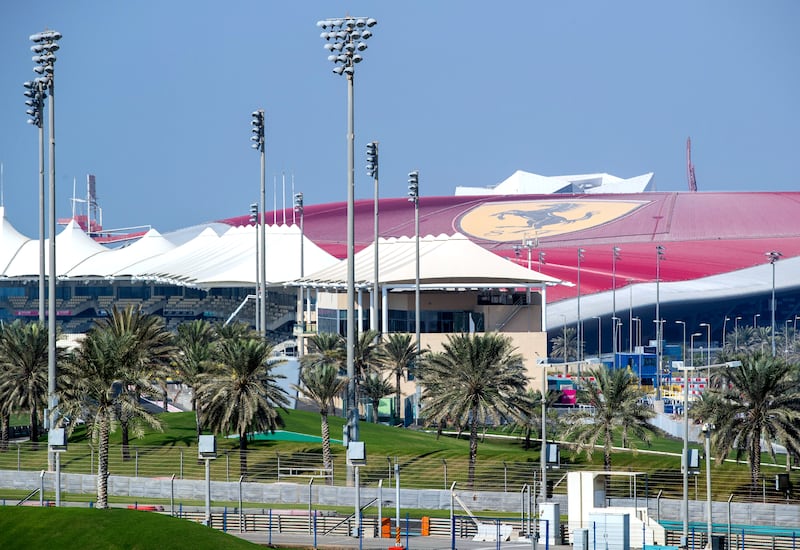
[[194, 341]]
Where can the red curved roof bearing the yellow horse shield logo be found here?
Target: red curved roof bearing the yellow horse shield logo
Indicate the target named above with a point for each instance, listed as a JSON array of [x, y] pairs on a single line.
[[702, 233]]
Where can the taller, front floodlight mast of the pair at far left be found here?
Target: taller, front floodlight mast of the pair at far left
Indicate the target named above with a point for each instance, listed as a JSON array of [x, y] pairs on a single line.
[[45, 44]]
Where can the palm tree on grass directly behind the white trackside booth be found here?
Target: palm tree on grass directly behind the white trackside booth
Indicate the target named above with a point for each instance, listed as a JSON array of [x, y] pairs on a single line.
[[616, 403]]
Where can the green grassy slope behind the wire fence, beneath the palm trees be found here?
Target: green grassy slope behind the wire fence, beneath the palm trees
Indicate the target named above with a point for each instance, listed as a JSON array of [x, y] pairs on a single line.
[[425, 460]]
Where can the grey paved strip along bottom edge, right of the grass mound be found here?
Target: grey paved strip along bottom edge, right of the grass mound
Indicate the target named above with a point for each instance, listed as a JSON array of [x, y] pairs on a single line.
[[294, 540]]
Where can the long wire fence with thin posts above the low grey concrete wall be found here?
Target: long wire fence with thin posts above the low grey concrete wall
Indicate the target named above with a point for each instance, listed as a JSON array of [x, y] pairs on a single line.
[[423, 472]]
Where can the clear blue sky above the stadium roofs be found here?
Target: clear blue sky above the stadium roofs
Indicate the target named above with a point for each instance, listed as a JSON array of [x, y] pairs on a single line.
[[155, 98]]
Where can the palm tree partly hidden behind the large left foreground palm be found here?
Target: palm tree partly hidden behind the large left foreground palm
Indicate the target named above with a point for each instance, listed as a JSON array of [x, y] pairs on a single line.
[[148, 358]]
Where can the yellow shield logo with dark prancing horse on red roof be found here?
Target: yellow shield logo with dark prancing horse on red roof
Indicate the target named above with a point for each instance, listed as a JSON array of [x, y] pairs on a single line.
[[512, 221]]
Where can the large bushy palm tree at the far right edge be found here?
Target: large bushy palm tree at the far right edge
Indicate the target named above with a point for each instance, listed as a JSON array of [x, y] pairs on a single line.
[[754, 400]]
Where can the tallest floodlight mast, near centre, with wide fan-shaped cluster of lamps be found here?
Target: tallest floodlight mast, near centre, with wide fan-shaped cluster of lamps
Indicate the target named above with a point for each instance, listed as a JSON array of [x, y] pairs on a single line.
[[344, 37]]
